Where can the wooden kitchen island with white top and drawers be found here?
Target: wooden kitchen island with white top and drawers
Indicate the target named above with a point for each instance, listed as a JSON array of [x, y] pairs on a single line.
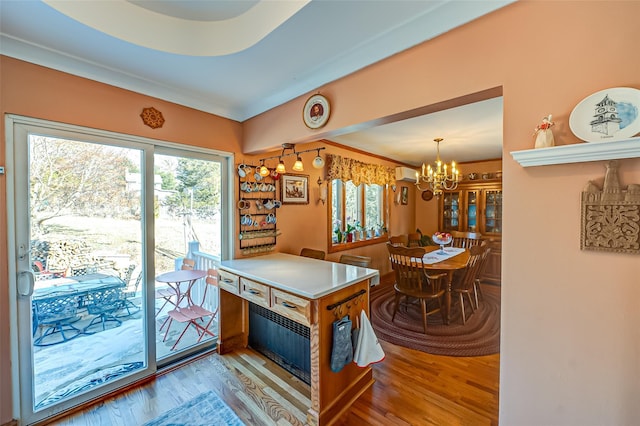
[[310, 292]]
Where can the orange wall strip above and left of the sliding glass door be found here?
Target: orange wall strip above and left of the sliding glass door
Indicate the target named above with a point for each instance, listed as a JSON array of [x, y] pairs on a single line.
[[34, 91]]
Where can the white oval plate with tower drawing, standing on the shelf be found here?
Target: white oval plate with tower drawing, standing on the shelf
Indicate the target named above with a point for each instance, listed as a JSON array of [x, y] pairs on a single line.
[[608, 115]]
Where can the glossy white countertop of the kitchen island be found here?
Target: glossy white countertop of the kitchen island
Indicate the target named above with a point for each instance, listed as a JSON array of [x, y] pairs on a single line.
[[302, 276]]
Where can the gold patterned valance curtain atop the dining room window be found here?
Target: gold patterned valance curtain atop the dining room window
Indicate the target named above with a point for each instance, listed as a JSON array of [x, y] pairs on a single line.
[[345, 169]]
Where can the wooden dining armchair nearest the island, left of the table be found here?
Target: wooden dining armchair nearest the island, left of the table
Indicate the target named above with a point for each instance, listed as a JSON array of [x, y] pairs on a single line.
[[413, 282]]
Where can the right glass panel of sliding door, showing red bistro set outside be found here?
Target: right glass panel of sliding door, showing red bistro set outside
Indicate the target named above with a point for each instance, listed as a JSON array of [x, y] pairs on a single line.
[[187, 197]]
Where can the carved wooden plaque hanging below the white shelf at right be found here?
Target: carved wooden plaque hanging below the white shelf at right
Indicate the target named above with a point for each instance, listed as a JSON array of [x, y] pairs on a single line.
[[611, 215]]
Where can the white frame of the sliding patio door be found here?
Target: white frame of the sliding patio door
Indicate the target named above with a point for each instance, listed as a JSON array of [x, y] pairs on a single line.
[[17, 129]]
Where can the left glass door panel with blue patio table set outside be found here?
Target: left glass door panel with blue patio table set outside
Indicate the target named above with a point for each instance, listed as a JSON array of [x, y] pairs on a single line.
[[79, 237]]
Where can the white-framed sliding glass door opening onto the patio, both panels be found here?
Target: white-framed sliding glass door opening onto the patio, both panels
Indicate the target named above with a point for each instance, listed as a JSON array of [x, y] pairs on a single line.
[[85, 208]]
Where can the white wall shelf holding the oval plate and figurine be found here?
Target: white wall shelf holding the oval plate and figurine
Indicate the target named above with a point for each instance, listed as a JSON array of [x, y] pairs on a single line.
[[578, 153]]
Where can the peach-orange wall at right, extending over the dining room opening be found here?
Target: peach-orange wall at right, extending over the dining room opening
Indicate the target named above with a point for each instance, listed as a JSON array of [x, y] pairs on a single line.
[[570, 348]]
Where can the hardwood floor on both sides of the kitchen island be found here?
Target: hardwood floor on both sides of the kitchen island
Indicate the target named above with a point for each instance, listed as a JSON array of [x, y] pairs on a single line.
[[411, 388]]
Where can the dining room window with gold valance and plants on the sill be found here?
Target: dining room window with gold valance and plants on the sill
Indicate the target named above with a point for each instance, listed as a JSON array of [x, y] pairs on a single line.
[[359, 202]]
